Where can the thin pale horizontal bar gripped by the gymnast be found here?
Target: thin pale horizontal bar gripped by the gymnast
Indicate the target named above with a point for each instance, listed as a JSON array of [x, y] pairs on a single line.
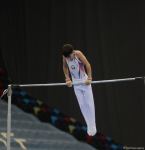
[[62, 84]]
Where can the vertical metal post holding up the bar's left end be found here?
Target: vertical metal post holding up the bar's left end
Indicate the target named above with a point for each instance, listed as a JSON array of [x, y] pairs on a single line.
[[9, 117]]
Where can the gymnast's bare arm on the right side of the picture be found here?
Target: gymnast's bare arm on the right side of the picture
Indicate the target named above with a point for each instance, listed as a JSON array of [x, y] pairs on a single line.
[[84, 60]]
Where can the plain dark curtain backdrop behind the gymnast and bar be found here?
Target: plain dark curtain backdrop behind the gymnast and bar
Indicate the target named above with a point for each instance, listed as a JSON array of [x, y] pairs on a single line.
[[111, 33]]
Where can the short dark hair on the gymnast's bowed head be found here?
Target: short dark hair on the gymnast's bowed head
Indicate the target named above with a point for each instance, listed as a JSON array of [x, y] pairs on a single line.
[[67, 50]]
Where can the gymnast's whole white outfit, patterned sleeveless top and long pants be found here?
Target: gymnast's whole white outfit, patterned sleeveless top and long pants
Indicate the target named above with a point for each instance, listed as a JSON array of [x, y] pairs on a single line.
[[83, 93]]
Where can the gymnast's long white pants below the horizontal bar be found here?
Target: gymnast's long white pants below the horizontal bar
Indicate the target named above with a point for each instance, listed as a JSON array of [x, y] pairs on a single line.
[[85, 99]]
